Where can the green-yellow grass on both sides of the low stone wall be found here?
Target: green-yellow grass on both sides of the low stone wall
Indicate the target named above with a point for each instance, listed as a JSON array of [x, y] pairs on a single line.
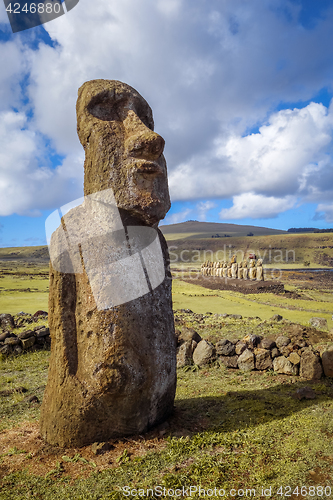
[[229, 430]]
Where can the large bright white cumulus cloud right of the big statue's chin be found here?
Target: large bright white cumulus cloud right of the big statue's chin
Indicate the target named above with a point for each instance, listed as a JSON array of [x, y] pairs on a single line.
[[286, 157]]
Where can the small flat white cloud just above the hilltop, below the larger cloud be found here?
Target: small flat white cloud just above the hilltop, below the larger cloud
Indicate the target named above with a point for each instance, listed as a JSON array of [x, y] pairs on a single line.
[[255, 206]]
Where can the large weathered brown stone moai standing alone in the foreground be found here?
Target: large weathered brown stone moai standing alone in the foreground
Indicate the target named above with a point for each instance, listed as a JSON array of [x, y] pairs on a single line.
[[113, 355]]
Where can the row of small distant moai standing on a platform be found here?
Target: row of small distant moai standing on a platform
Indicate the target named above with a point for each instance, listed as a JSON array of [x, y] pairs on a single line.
[[246, 270]]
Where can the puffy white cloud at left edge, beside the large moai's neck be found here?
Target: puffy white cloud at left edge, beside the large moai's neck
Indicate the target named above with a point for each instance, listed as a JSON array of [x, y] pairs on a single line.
[[30, 185]]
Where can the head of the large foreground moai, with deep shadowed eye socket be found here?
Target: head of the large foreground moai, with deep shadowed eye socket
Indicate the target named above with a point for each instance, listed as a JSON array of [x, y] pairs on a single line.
[[122, 152]]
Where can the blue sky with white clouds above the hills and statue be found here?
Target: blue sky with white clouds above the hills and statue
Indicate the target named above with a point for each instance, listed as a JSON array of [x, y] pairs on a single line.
[[241, 91]]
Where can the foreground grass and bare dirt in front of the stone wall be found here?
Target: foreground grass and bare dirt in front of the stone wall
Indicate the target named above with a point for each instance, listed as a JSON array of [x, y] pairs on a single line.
[[229, 430]]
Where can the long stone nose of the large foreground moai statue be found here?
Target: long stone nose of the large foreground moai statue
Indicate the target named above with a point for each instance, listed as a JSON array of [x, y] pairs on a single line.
[[141, 142]]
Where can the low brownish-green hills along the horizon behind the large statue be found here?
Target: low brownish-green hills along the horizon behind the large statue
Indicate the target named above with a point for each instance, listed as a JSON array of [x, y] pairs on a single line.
[[192, 242]]
